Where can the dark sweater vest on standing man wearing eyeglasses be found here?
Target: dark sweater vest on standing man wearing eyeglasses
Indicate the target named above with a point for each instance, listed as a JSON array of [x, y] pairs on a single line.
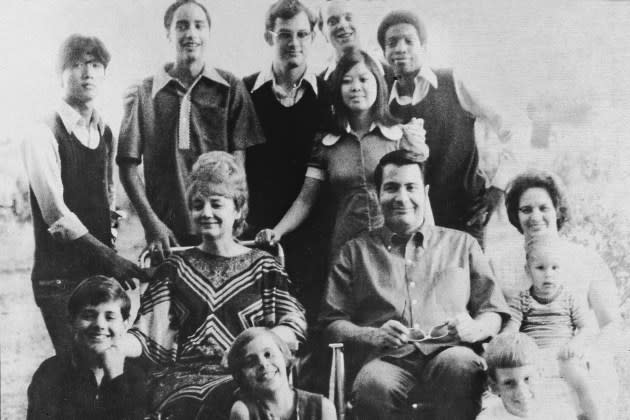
[[276, 169]]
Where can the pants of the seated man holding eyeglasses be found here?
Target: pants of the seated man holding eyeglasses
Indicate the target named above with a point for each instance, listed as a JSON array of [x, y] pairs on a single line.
[[450, 380]]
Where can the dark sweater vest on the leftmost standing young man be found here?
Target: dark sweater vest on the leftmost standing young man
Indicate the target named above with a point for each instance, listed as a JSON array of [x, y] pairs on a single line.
[[84, 179]]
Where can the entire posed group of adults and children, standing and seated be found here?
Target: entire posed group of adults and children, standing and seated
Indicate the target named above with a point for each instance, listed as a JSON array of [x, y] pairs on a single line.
[[369, 176]]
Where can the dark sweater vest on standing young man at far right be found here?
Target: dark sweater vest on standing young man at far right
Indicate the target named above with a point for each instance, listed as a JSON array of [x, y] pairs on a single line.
[[452, 170]]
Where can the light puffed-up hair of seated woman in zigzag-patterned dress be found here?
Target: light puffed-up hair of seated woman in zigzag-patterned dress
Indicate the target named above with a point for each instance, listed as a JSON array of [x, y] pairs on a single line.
[[219, 173]]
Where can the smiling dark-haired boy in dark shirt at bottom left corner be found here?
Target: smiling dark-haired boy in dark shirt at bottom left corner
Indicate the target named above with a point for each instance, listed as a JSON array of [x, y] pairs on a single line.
[[92, 382]]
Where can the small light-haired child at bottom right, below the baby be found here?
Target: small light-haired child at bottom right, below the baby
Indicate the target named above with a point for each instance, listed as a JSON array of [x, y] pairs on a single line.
[[513, 374]]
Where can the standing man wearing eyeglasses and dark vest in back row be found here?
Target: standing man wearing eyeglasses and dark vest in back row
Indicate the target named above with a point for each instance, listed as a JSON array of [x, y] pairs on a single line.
[[292, 105]]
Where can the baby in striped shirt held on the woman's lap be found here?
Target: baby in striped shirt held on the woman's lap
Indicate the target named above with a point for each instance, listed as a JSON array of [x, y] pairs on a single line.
[[550, 313]]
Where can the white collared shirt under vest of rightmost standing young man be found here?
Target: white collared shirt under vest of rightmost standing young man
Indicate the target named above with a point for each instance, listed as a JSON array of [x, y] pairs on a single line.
[[497, 160]]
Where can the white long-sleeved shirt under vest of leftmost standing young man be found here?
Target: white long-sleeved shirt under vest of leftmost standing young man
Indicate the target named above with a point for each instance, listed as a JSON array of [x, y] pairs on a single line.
[[40, 152]]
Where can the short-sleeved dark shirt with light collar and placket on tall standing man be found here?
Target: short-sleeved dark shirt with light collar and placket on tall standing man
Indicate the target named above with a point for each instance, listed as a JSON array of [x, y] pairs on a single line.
[[216, 112]]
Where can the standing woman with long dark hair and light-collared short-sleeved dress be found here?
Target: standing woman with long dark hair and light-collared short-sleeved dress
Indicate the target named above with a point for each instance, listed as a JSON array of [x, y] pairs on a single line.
[[346, 157]]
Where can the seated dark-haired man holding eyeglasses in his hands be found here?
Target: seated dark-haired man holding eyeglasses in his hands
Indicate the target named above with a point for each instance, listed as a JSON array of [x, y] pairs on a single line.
[[412, 302]]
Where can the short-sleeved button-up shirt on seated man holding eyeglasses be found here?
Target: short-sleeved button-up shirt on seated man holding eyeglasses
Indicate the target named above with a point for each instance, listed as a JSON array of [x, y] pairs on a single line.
[[421, 281]]
